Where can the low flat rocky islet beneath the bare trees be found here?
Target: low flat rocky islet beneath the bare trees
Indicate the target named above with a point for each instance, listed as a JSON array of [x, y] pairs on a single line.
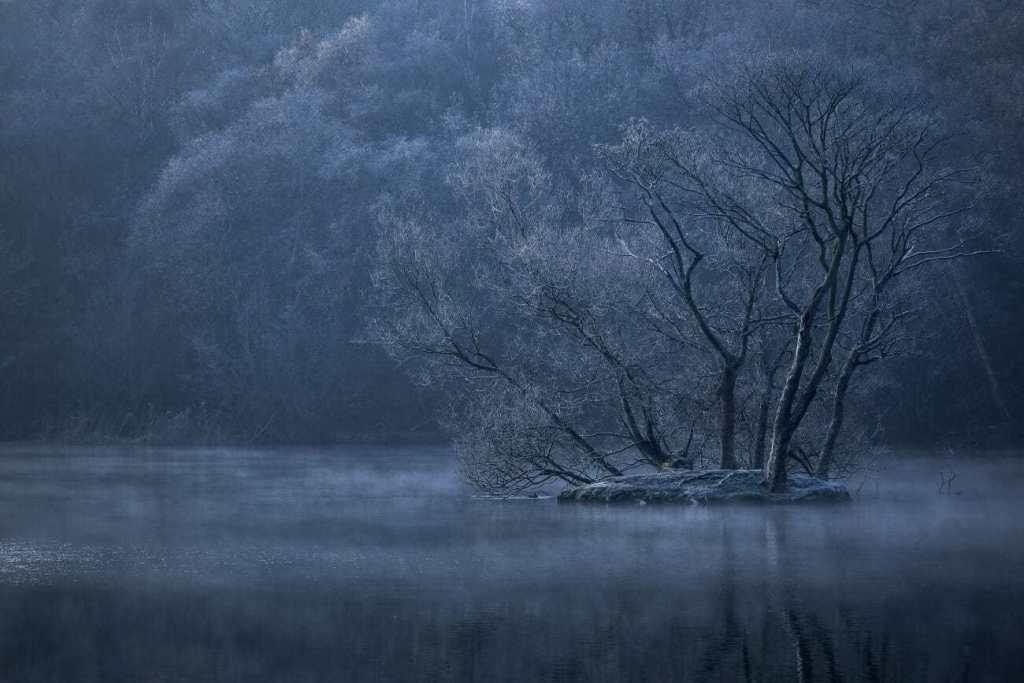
[[706, 488]]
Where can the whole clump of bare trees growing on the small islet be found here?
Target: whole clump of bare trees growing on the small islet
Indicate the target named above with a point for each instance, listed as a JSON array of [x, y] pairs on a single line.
[[713, 293]]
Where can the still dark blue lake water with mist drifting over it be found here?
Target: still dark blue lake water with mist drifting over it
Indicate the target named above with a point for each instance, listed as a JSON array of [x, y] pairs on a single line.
[[366, 565]]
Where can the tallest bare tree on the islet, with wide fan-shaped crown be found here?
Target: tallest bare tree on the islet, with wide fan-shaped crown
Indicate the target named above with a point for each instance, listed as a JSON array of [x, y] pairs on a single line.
[[852, 176]]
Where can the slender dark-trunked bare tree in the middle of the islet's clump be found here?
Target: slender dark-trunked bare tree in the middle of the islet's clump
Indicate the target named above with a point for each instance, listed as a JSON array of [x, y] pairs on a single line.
[[689, 253]]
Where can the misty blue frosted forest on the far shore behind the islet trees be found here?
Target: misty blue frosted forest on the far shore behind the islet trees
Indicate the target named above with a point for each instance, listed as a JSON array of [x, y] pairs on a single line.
[[190, 190]]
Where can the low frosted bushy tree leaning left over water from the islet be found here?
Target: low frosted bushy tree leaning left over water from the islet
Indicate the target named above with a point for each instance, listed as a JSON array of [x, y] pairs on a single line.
[[527, 302]]
